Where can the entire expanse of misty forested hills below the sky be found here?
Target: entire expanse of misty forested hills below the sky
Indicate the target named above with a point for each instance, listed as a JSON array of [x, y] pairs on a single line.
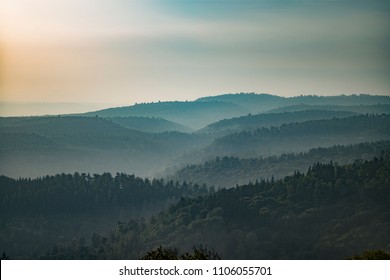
[[245, 176]]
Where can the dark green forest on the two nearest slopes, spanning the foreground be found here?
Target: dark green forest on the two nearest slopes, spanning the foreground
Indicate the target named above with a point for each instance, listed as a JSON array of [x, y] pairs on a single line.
[[330, 212]]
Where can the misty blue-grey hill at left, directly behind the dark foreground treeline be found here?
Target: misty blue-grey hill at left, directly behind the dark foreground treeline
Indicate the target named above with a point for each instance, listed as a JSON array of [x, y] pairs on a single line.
[[37, 146]]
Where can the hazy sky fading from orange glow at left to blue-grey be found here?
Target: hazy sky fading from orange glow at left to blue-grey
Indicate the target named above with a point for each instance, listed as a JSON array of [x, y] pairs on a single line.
[[125, 51]]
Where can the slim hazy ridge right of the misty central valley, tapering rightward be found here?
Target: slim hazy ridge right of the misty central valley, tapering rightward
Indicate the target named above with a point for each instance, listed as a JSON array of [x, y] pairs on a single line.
[[252, 122]]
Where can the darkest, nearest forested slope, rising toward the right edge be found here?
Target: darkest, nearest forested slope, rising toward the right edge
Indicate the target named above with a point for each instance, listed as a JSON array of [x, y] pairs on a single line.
[[332, 212]]
